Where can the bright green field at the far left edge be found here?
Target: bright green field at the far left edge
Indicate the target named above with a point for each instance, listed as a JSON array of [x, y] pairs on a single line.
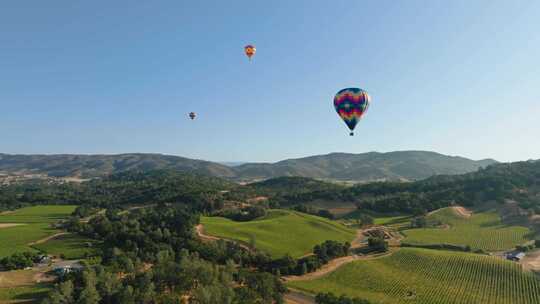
[[37, 222]]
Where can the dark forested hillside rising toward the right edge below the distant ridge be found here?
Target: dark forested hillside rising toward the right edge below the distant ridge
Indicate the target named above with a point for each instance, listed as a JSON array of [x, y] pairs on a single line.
[[518, 181]]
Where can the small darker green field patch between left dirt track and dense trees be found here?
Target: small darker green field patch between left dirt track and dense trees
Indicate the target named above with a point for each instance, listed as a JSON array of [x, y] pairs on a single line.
[[71, 246]]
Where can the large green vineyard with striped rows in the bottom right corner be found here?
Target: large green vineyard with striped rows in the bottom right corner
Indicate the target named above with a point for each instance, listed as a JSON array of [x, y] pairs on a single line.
[[423, 276]]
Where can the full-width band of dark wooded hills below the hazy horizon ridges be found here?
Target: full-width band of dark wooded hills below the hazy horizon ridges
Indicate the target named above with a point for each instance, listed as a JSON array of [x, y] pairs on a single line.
[[516, 181]]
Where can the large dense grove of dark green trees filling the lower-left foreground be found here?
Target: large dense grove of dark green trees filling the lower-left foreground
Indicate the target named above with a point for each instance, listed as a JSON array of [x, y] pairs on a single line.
[[151, 255]]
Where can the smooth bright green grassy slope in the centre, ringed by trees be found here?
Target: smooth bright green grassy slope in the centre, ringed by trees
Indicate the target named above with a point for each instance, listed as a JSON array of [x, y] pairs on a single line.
[[280, 232]]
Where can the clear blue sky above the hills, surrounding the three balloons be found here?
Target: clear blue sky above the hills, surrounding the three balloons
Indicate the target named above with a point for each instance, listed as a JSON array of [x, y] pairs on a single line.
[[456, 77]]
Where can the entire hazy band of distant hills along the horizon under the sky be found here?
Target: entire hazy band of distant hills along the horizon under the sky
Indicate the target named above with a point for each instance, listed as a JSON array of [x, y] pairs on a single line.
[[400, 165]]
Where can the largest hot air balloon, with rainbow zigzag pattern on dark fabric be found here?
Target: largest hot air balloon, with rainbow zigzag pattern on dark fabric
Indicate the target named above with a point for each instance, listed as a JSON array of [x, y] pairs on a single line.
[[351, 104]]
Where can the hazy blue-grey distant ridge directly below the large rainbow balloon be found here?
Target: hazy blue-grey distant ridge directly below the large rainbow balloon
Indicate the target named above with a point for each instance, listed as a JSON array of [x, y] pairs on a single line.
[[399, 165]]
